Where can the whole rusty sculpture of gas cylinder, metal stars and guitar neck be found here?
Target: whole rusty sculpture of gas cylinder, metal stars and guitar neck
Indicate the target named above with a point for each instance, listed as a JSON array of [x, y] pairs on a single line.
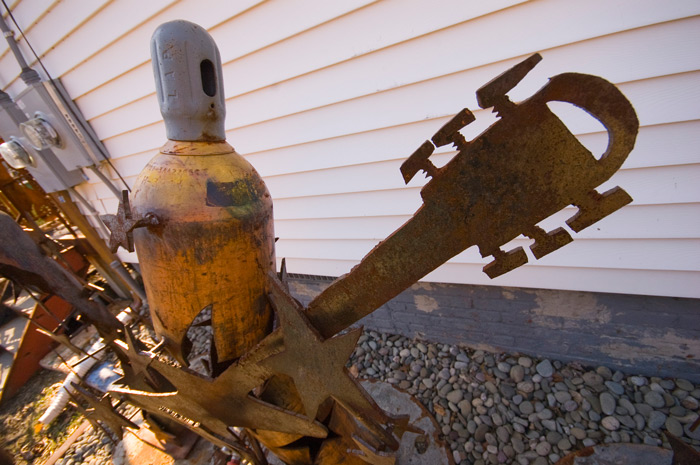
[[212, 245]]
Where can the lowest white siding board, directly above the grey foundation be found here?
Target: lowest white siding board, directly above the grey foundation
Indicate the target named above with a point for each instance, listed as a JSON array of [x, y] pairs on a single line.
[[642, 282]]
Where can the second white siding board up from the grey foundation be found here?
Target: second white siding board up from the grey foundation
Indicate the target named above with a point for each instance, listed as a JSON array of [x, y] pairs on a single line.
[[643, 254]]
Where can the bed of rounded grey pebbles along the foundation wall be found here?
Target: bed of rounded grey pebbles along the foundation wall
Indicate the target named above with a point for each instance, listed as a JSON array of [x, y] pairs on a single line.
[[507, 408]]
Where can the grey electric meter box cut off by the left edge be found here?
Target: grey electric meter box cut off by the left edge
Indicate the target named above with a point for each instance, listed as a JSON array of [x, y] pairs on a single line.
[[18, 151]]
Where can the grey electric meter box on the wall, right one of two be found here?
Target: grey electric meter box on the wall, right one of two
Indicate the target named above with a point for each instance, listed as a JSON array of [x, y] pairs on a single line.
[[55, 122]]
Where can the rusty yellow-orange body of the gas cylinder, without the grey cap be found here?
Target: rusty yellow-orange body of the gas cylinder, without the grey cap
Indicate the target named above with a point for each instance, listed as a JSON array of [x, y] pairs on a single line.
[[213, 246]]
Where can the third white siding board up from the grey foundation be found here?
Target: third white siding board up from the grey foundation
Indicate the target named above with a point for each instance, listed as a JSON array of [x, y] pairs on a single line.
[[634, 222]]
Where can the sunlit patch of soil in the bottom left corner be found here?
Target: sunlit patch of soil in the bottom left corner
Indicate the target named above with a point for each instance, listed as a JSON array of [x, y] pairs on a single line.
[[19, 415]]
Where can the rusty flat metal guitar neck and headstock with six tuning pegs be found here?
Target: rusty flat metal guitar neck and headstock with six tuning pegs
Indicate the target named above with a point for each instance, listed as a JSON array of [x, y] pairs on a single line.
[[522, 169]]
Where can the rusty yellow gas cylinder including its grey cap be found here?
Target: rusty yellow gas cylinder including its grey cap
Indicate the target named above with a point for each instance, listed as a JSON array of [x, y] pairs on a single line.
[[214, 244]]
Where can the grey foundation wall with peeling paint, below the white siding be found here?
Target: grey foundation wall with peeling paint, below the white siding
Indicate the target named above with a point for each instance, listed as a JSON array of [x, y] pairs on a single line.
[[641, 334]]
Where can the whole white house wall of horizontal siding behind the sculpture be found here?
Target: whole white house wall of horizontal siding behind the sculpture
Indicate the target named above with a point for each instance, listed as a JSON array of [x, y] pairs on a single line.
[[326, 99]]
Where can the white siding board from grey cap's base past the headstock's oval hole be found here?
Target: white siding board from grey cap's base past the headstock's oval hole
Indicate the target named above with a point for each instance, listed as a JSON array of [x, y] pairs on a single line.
[[661, 100]]
